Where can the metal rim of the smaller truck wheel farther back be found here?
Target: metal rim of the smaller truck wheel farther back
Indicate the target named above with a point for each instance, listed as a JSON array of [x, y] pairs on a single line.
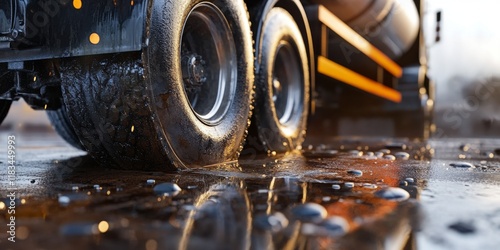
[[287, 85]]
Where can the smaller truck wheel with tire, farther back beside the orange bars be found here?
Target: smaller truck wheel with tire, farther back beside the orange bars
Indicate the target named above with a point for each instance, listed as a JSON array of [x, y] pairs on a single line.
[[282, 84]]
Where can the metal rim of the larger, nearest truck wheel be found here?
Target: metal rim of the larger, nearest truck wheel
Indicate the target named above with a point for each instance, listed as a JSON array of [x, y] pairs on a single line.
[[208, 63]]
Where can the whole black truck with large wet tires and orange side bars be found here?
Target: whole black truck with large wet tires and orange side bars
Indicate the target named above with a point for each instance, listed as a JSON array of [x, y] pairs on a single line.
[[140, 83]]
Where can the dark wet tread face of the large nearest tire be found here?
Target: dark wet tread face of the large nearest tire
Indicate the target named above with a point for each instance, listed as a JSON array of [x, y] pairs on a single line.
[[109, 110]]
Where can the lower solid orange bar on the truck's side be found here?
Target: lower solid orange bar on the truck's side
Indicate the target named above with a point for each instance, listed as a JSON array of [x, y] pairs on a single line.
[[354, 79]]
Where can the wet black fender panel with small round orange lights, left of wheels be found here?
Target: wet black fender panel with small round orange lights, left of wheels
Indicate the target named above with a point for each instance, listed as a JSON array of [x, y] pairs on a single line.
[[45, 29]]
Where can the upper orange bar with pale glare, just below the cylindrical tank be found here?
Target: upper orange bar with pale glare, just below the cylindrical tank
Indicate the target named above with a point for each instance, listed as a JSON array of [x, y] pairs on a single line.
[[348, 34]]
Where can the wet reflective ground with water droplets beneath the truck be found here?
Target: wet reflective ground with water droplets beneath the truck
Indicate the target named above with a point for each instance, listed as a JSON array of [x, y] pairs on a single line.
[[338, 193]]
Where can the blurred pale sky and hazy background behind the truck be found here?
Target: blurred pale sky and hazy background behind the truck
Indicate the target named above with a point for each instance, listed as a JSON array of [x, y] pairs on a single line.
[[465, 65]]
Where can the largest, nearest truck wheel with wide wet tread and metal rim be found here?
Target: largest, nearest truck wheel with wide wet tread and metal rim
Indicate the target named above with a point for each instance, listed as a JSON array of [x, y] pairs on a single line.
[[184, 102]]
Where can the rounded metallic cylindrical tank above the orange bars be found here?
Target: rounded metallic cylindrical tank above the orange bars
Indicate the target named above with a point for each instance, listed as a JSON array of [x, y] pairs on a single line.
[[391, 25]]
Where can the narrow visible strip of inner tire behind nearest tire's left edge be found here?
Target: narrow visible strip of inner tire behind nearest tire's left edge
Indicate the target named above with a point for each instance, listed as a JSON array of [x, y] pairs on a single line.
[[60, 121]]
